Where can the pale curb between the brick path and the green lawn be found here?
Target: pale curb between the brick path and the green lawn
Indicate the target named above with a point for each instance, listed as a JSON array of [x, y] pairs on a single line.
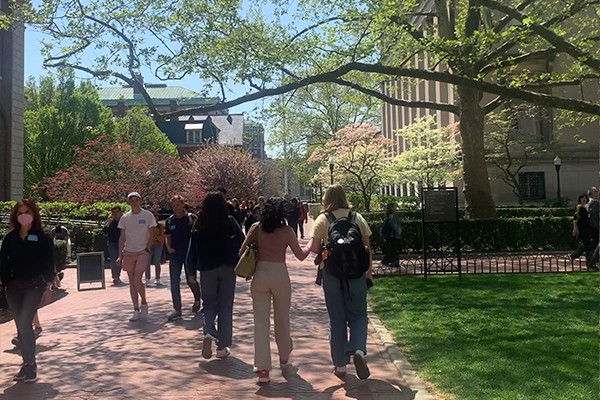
[[400, 362]]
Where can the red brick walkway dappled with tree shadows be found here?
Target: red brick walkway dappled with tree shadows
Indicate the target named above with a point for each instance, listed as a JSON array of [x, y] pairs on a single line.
[[89, 350]]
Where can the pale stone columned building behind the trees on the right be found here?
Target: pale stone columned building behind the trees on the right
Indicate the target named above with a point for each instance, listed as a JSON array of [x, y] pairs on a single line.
[[573, 146]]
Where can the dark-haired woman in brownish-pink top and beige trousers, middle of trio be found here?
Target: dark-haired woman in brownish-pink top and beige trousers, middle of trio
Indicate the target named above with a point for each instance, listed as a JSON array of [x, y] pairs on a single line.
[[271, 284]]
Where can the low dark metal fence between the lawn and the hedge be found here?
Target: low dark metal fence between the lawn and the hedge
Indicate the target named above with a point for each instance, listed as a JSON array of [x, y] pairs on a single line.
[[488, 263]]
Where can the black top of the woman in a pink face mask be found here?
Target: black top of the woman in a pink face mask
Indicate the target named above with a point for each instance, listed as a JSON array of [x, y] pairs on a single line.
[[23, 260]]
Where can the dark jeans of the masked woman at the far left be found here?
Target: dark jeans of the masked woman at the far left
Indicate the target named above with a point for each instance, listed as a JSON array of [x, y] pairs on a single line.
[[23, 303]]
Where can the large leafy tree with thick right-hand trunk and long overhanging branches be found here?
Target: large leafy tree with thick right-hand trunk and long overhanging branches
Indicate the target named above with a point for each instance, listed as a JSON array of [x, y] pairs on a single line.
[[479, 46]]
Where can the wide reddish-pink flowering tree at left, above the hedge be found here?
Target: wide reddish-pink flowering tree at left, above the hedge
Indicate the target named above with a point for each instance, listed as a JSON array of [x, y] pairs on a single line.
[[106, 170]]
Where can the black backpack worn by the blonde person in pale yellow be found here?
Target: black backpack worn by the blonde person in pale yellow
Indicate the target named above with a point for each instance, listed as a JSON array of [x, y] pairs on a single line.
[[347, 258]]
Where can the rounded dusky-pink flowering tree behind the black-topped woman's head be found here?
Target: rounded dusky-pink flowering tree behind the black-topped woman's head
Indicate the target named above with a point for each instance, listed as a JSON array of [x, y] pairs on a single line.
[[213, 166]]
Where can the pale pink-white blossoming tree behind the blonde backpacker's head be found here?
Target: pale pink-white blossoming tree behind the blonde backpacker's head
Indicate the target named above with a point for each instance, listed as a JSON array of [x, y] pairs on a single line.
[[358, 152]]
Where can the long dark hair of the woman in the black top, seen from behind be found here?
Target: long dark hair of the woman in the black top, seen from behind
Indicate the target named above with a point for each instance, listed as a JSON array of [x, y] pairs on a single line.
[[213, 219]]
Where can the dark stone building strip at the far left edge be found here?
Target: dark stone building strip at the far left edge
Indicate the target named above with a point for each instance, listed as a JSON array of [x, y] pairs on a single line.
[[11, 109]]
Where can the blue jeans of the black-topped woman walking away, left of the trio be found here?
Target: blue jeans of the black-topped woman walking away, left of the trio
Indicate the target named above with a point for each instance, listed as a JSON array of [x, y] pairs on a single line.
[[218, 291]]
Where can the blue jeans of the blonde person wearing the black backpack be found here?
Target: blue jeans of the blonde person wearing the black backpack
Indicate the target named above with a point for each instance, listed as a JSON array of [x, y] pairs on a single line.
[[346, 303]]
